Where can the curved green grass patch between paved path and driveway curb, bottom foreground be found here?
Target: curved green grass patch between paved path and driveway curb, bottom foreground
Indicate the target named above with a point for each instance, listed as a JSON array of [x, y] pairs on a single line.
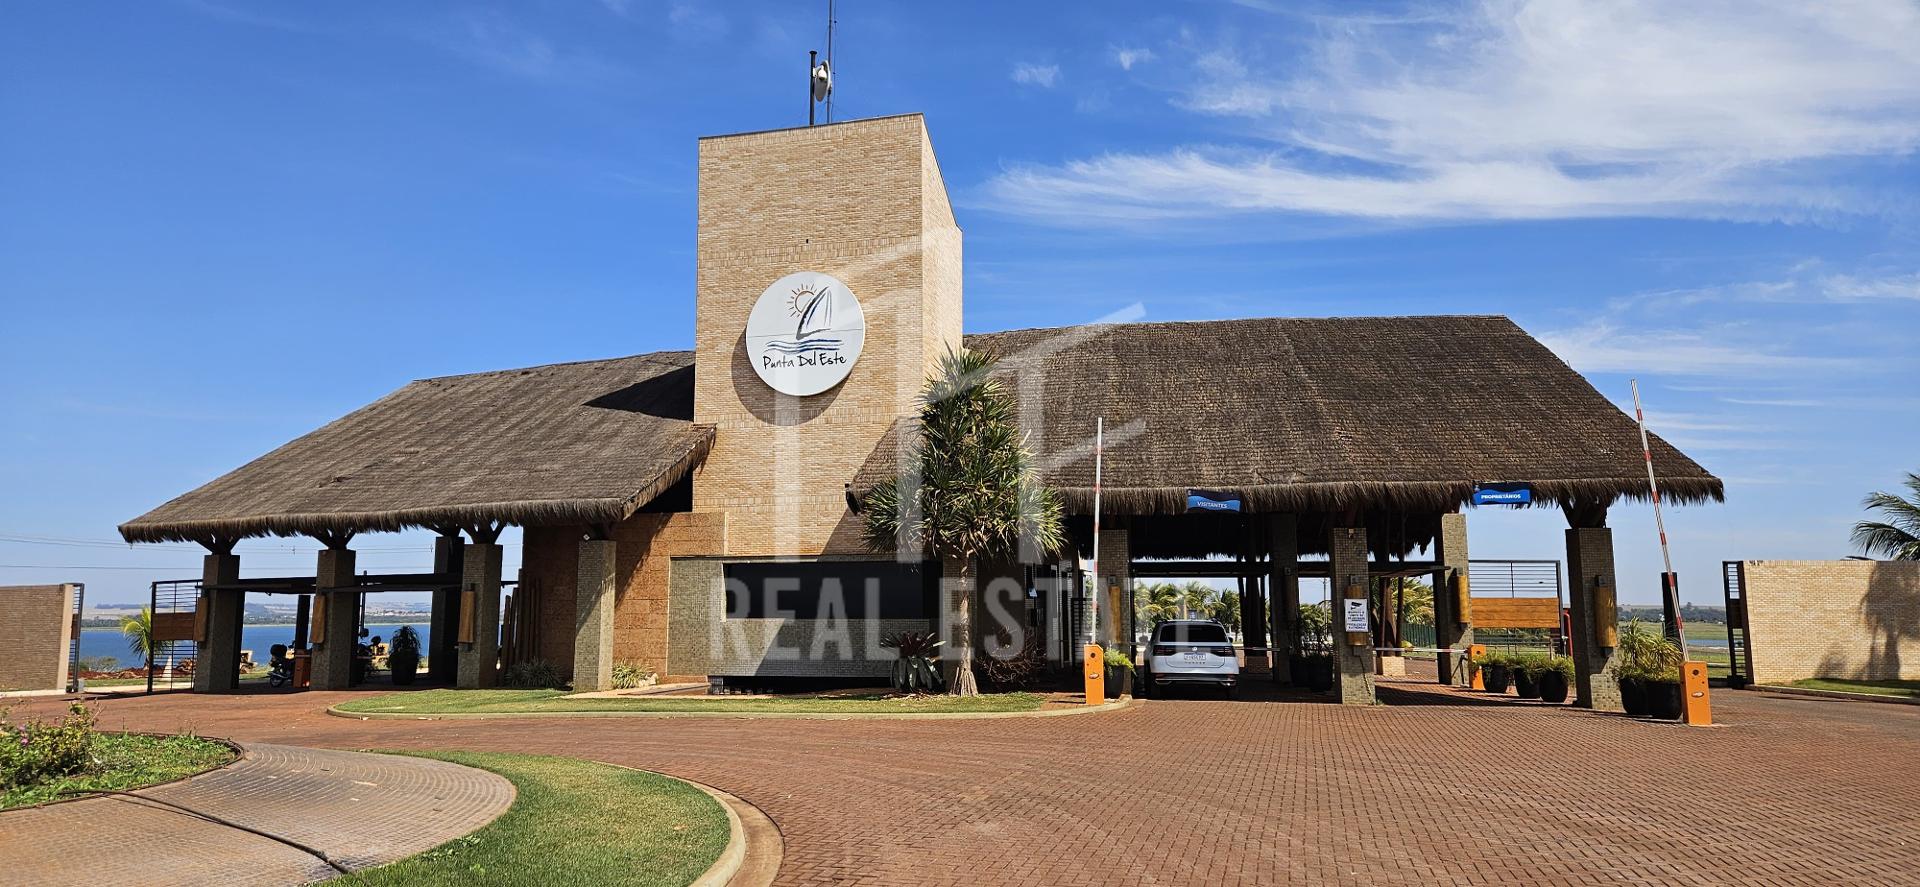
[[573, 823]]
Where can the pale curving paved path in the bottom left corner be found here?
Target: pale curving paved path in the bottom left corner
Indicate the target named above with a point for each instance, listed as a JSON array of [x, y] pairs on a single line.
[[358, 809]]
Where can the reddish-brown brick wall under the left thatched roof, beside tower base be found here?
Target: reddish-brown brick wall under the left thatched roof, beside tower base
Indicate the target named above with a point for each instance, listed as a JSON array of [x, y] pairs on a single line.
[[644, 550]]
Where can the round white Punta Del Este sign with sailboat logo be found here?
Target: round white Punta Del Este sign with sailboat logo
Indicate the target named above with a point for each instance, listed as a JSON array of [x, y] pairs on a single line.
[[805, 333]]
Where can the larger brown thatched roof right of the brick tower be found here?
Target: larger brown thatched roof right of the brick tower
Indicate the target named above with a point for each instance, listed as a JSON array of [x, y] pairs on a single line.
[[1403, 414]]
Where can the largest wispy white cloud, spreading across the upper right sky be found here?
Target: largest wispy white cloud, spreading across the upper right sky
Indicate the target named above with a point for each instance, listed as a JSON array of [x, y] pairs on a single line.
[[1529, 110]]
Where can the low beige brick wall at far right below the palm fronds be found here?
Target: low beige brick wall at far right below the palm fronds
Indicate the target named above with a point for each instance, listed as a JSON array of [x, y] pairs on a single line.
[[1835, 619]]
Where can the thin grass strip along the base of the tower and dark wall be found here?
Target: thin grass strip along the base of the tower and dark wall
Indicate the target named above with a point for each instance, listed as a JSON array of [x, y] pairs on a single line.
[[525, 702]]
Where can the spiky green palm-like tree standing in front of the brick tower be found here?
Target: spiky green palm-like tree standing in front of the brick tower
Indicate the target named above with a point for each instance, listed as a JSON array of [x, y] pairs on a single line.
[[974, 494]]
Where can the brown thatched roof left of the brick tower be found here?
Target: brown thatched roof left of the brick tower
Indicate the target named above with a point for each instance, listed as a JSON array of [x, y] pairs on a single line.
[[565, 444]]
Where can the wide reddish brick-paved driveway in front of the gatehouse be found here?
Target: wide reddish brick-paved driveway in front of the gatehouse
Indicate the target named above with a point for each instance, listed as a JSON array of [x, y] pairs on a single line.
[[1214, 792]]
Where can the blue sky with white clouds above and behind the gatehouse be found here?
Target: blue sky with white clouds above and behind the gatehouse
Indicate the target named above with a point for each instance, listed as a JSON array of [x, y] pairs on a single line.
[[233, 222]]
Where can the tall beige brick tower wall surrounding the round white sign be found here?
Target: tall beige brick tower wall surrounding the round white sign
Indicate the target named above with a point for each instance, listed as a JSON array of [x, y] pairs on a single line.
[[855, 201]]
